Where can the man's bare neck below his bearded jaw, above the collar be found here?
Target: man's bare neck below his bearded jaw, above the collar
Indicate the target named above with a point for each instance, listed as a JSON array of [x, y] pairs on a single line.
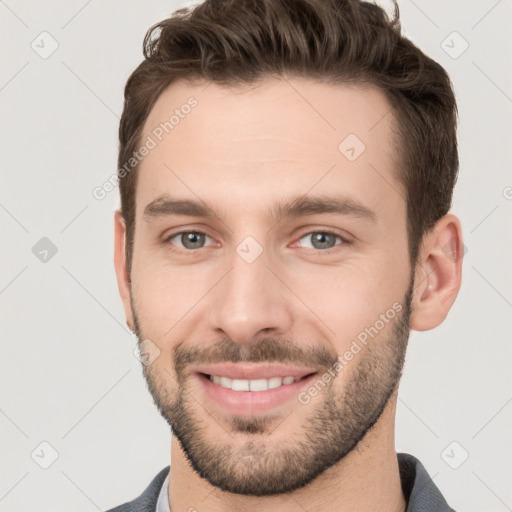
[[366, 479]]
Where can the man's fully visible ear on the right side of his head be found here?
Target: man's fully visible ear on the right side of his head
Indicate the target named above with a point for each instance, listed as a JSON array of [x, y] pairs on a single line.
[[438, 274]]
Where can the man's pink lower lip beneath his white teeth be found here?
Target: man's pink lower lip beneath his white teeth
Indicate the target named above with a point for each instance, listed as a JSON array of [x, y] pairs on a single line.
[[253, 401]]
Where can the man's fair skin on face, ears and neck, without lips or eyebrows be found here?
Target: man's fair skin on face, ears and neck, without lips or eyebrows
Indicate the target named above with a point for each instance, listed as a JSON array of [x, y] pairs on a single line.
[[241, 151]]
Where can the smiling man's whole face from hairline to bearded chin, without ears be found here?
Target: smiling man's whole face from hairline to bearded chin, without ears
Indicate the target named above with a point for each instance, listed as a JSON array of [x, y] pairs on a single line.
[[323, 286]]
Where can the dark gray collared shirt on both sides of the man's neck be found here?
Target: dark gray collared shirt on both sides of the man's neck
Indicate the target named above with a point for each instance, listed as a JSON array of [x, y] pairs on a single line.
[[421, 493]]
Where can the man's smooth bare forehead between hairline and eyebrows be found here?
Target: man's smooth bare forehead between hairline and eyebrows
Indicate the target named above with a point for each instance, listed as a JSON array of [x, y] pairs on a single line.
[[251, 145]]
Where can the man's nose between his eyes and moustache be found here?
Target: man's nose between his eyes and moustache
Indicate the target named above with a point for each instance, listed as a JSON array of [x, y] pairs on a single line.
[[251, 300]]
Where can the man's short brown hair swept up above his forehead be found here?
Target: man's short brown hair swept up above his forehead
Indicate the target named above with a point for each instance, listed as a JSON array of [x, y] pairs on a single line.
[[235, 42]]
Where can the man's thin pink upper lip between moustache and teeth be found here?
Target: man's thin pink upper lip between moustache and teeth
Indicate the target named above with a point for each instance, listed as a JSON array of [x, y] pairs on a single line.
[[253, 372]]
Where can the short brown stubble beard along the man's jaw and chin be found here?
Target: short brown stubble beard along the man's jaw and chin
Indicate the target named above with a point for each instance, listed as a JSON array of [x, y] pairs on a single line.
[[247, 457]]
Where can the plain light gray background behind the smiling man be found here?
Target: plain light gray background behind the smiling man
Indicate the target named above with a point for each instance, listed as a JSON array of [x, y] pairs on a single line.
[[68, 373]]
